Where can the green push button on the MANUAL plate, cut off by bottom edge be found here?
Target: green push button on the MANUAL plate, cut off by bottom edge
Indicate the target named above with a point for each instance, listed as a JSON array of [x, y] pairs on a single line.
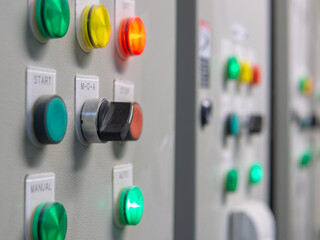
[[49, 222]]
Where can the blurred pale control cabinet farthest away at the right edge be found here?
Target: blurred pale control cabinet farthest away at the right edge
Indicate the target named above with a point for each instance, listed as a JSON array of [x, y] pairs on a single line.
[[295, 119]]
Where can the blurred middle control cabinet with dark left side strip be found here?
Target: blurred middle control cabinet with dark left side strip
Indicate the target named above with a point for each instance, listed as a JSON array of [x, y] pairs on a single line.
[[229, 97]]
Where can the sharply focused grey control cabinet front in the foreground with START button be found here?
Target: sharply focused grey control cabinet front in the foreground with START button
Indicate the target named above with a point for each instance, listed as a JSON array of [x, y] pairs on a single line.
[[88, 119]]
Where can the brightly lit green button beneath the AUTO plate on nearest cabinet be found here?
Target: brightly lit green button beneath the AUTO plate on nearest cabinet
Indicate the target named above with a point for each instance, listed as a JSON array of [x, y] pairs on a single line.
[[131, 205]]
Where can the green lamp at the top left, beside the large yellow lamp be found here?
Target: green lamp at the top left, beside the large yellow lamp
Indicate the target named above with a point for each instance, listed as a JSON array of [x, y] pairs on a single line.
[[52, 18]]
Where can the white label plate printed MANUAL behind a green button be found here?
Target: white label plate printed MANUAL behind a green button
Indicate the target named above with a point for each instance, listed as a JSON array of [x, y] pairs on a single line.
[[38, 188]]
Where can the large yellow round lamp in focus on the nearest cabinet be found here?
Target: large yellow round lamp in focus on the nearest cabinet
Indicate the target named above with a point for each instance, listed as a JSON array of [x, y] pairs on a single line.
[[96, 26]]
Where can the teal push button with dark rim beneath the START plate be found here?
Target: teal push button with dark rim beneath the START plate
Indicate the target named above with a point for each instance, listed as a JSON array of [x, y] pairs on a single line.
[[50, 119]]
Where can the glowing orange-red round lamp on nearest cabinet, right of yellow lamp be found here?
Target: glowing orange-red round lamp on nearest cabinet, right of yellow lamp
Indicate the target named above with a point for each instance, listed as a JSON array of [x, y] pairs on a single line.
[[132, 36]]
